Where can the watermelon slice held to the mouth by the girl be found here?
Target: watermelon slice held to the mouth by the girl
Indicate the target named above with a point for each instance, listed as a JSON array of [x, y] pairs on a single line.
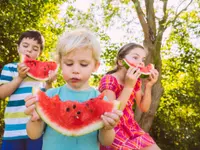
[[144, 70]]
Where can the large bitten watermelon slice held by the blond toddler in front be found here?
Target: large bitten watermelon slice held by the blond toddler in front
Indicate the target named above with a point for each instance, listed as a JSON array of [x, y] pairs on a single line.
[[73, 118]]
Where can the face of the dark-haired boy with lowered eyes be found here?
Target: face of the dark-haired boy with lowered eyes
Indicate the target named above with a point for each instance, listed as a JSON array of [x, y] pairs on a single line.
[[29, 47]]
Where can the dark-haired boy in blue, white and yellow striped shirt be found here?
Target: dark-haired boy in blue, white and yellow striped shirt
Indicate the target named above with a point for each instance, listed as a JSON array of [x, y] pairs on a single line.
[[15, 84]]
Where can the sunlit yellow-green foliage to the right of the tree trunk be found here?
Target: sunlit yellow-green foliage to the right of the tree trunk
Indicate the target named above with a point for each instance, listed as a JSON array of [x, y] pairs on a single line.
[[176, 125]]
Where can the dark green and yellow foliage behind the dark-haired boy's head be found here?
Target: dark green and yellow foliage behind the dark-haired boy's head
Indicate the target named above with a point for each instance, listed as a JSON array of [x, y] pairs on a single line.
[[16, 16]]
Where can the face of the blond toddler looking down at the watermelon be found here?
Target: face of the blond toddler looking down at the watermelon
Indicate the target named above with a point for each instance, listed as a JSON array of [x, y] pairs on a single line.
[[77, 67]]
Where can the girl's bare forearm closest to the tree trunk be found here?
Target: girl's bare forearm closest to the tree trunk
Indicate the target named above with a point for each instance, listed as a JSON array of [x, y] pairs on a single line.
[[146, 99]]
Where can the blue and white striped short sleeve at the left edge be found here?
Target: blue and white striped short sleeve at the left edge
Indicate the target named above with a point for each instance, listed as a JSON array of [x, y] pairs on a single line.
[[7, 73]]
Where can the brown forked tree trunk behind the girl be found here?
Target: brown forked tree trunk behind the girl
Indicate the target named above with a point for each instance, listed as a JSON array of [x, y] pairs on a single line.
[[152, 42]]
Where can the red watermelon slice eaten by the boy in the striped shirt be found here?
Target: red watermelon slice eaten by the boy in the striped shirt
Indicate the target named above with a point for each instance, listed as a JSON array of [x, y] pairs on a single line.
[[39, 70]]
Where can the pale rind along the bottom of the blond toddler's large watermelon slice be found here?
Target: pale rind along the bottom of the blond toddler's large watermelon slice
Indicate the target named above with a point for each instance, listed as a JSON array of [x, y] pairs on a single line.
[[88, 129]]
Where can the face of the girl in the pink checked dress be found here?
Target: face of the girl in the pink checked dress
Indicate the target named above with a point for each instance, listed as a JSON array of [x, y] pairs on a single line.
[[136, 56]]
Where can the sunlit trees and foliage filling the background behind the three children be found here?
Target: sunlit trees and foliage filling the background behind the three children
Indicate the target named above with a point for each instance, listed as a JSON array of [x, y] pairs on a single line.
[[176, 122]]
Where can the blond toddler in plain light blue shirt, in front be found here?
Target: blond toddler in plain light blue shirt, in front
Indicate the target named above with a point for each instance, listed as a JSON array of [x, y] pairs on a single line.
[[78, 54]]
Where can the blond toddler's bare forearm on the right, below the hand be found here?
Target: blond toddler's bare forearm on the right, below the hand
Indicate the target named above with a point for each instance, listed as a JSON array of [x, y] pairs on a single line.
[[106, 137]]
